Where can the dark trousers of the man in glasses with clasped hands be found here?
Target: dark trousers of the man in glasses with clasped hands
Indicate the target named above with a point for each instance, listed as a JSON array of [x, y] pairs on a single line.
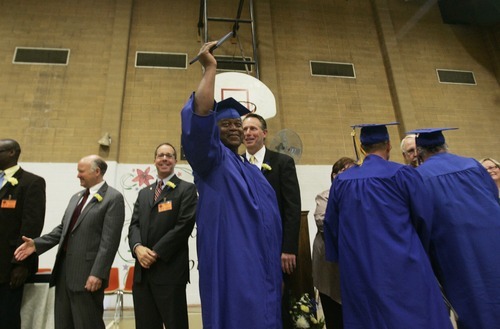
[[159, 304]]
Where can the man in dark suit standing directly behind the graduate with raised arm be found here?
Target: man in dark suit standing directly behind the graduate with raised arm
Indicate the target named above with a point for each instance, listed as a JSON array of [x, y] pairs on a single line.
[[279, 170]]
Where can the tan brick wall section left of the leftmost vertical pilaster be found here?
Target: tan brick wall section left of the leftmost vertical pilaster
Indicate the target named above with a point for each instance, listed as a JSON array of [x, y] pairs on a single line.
[[56, 111]]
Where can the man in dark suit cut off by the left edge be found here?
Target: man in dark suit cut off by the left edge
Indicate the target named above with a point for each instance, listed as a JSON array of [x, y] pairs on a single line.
[[22, 212]]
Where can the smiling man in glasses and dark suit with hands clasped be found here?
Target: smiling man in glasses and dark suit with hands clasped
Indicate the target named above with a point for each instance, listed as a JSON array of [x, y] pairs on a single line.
[[163, 218]]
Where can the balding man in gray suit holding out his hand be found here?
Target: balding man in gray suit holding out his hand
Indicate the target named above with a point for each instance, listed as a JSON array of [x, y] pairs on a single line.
[[88, 238]]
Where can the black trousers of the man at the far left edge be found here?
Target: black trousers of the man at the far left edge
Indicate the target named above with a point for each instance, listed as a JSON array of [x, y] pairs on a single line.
[[10, 306]]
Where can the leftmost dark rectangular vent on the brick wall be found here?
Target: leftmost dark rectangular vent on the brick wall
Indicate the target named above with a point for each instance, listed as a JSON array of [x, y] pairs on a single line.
[[42, 56]]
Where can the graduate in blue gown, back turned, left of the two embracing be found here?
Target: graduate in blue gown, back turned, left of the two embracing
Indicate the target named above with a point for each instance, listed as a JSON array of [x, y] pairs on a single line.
[[371, 223]]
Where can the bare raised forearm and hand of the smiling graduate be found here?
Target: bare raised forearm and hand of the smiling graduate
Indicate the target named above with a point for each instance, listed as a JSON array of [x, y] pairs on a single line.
[[204, 96]]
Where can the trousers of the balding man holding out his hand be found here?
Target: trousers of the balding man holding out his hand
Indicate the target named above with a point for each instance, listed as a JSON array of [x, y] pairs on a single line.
[[77, 309]]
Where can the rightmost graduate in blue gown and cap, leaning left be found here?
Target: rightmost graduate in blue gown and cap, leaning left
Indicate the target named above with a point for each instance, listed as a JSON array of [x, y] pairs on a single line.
[[465, 230]]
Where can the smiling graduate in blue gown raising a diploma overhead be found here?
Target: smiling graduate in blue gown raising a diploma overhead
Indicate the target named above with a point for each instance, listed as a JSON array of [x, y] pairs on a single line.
[[238, 221]]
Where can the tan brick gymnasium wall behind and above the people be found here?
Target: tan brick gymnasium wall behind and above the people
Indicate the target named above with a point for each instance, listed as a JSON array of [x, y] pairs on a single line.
[[59, 112]]
